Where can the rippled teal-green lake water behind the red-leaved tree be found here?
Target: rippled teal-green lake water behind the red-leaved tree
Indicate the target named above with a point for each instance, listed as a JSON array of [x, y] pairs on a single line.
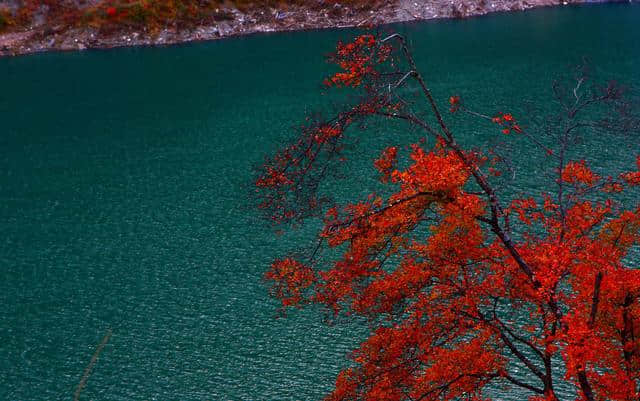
[[123, 199]]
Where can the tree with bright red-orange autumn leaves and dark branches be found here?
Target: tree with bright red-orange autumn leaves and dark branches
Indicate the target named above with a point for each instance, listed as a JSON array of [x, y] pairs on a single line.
[[467, 289]]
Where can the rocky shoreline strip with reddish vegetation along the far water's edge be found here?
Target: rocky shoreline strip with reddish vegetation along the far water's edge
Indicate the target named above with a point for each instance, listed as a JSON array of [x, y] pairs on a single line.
[[235, 22]]
